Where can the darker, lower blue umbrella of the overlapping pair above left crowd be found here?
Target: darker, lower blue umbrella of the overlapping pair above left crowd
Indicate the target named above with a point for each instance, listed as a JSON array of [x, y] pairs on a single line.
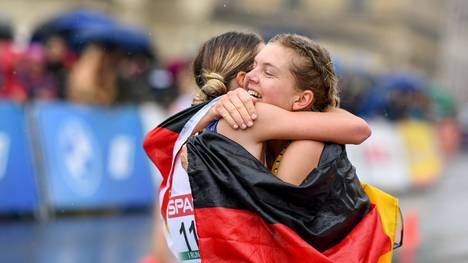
[[130, 39]]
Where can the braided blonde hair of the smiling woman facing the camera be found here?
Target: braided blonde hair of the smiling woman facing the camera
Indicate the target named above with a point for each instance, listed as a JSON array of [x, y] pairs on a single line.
[[314, 71]]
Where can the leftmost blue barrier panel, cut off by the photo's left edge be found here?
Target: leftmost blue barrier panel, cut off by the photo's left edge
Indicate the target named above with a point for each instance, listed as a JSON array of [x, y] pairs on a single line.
[[18, 188]]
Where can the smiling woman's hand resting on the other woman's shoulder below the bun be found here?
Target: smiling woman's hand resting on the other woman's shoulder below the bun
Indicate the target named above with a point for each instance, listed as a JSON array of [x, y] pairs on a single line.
[[237, 108]]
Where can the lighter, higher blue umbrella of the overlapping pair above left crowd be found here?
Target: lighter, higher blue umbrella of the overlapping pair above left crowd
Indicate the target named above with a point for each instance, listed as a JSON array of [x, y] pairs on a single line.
[[70, 23]]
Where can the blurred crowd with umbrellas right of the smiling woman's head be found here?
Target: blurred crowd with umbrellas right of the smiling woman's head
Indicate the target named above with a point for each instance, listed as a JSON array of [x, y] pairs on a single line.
[[403, 96]]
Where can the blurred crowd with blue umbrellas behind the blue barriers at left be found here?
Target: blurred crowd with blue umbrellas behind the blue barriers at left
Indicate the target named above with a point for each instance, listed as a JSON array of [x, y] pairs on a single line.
[[85, 62]]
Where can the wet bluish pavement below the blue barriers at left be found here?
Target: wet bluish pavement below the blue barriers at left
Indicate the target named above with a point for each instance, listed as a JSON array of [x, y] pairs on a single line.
[[123, 238]]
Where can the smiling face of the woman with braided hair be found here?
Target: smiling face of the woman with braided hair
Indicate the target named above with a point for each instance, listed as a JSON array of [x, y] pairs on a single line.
[[271, 80]]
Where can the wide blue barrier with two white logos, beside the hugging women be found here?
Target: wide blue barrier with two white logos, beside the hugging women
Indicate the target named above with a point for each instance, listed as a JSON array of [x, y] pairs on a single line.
[[93, 157]]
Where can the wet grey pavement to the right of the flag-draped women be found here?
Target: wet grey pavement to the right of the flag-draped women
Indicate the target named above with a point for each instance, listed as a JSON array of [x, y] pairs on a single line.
[[442, 210]]
